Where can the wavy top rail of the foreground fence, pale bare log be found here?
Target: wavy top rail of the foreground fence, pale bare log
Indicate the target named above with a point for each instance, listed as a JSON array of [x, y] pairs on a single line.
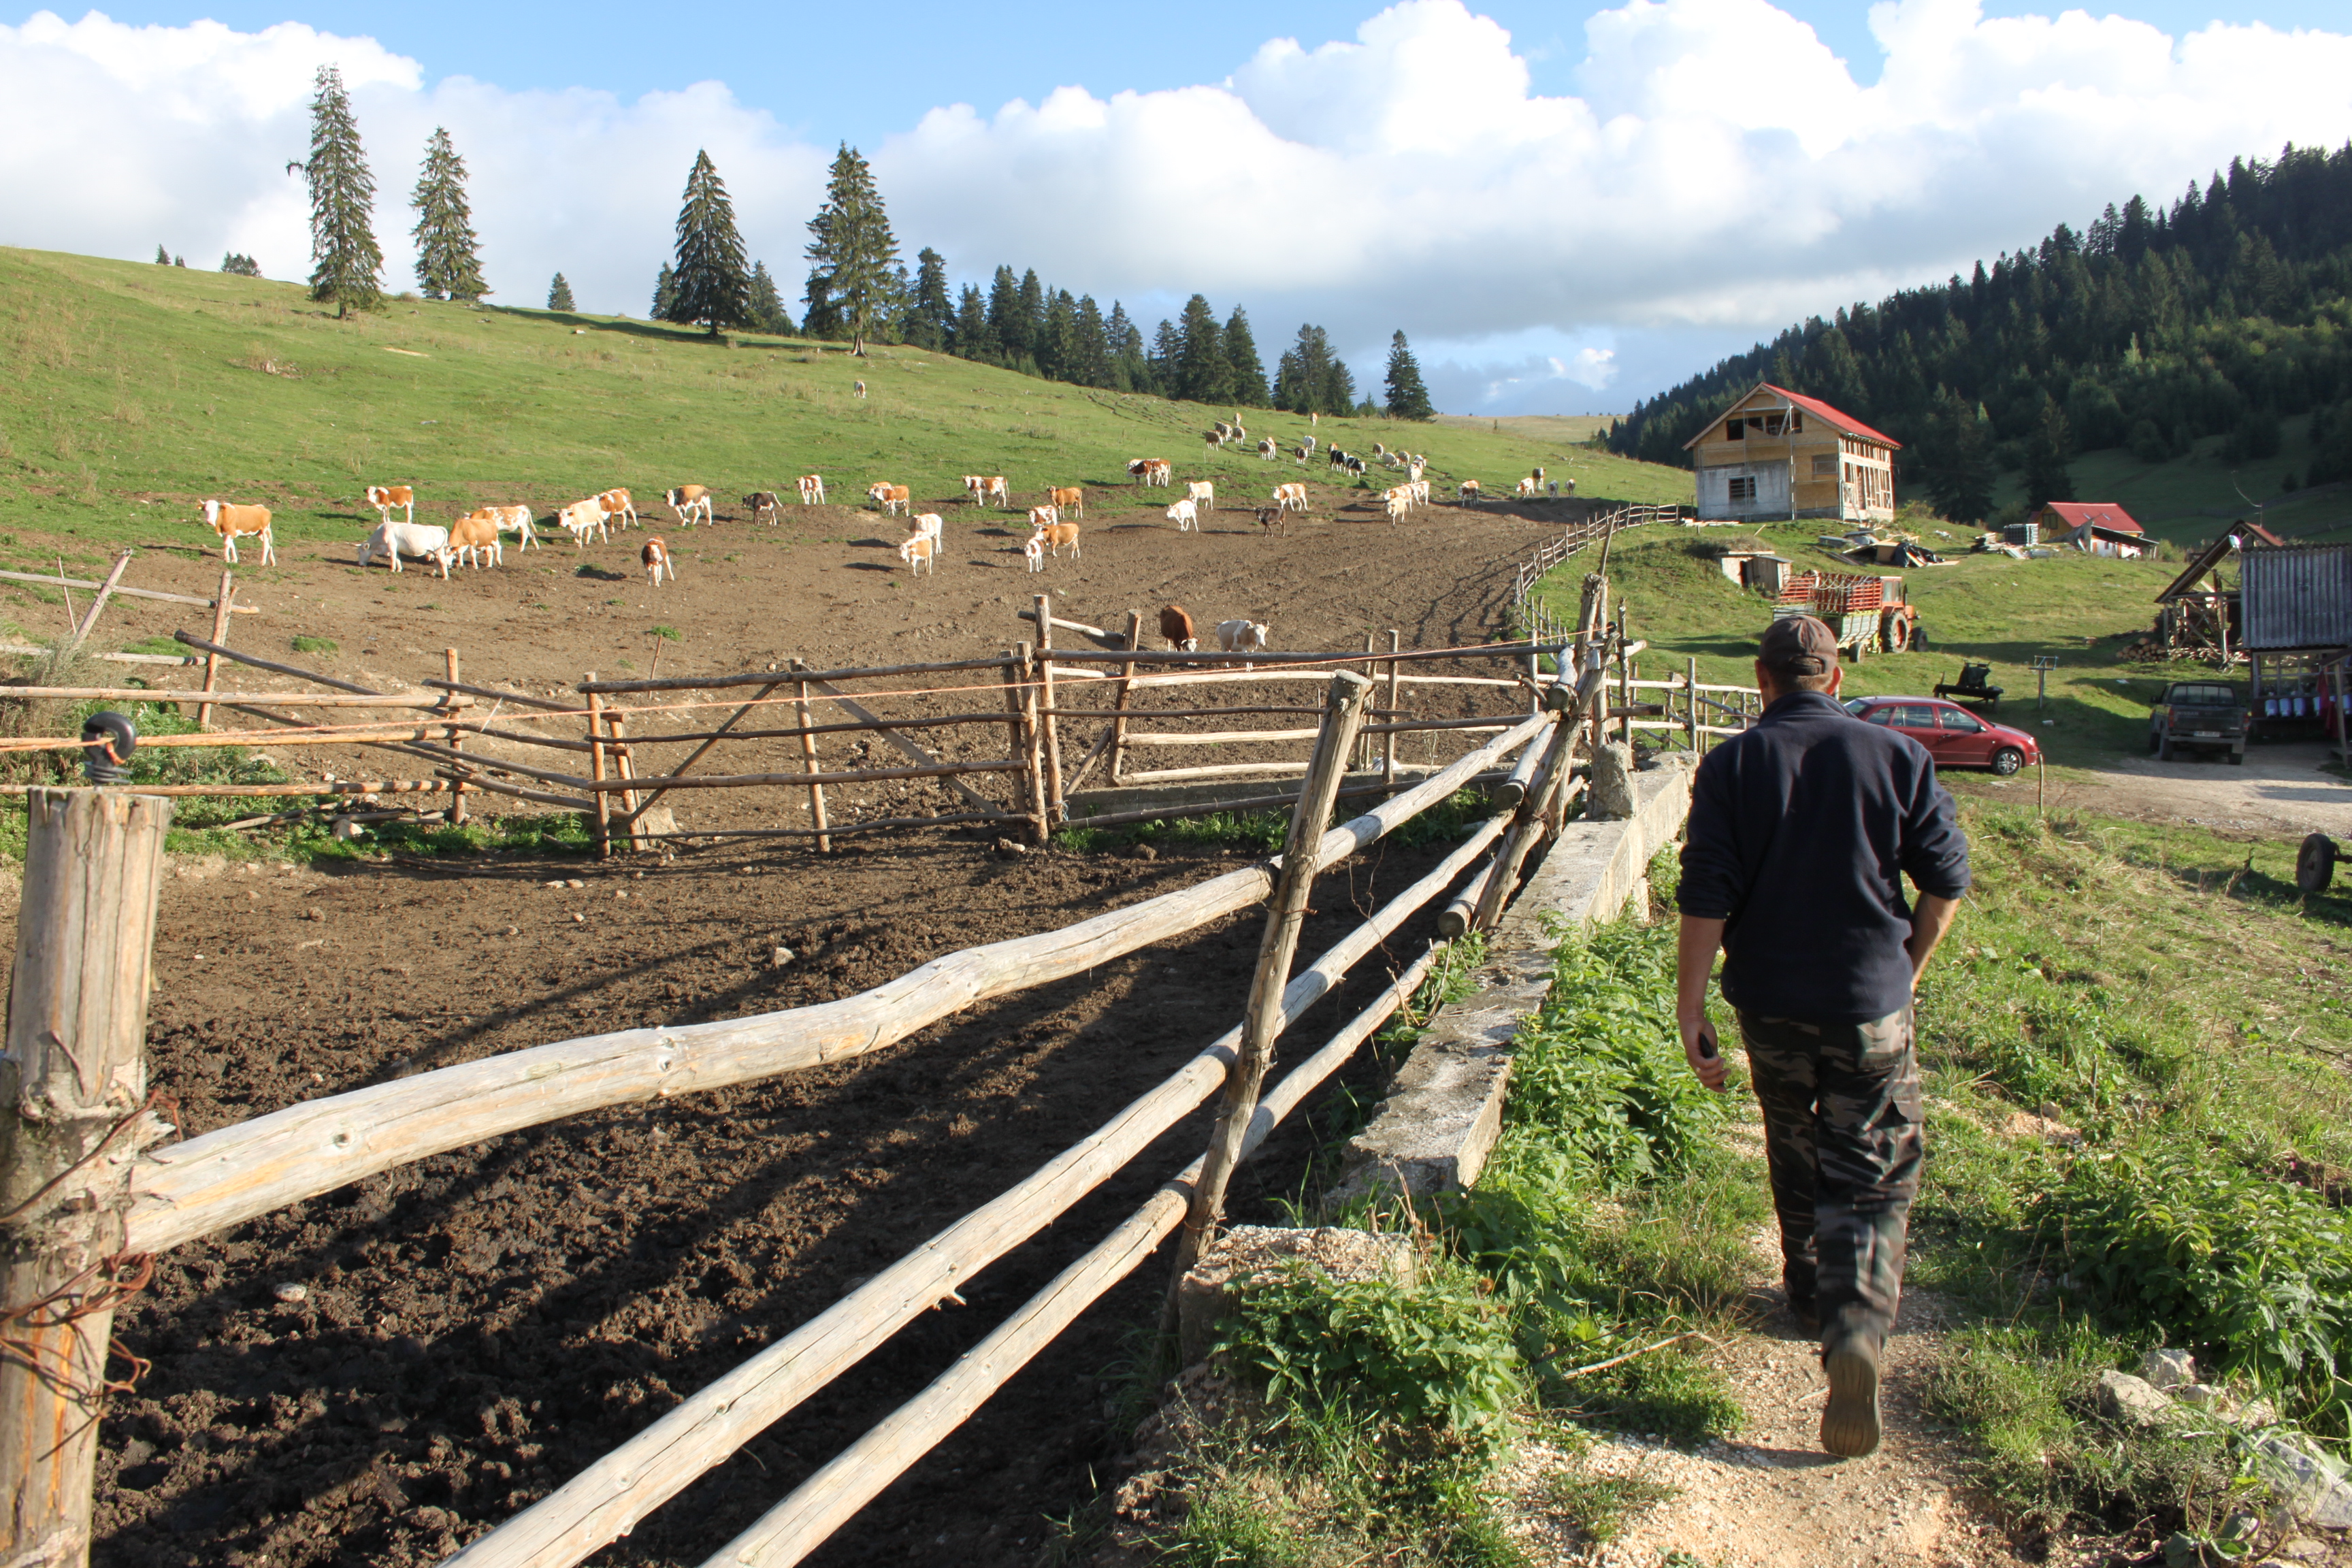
[[253, 1167]]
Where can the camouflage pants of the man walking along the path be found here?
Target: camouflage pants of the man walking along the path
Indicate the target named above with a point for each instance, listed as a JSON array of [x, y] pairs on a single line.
[[1843, 1144]]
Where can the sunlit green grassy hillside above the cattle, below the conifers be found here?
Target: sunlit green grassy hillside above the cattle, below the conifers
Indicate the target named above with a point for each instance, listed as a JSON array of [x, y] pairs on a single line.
[[138, 391]]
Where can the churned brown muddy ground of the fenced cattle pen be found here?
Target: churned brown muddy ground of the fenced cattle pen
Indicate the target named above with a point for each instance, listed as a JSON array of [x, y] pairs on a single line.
[[479, 1327]]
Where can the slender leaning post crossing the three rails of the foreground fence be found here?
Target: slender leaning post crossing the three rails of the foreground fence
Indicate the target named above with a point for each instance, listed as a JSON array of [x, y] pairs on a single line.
[[1288, 909]]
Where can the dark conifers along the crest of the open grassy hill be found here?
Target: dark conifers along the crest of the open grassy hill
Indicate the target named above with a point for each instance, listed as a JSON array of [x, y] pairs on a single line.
[[857, 288]]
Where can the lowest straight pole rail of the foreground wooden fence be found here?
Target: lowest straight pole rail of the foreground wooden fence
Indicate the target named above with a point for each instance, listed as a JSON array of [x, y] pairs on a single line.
[[867, 1468]]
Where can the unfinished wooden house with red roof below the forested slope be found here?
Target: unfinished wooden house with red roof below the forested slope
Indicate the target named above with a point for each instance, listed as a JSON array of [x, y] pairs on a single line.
[[1786, 455]]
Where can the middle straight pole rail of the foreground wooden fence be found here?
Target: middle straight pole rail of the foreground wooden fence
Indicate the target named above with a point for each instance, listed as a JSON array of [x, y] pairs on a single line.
[[617, 1492]]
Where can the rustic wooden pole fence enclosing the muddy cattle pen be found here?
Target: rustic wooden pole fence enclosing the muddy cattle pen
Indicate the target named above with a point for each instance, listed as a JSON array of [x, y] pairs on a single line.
[[86, 1179]]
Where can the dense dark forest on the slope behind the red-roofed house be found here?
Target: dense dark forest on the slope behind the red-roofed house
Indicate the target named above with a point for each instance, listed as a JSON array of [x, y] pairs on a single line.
[[2151, 330]]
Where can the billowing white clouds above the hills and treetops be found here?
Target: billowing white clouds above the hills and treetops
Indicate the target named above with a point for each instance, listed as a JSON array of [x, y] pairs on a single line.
[[1716, 175]]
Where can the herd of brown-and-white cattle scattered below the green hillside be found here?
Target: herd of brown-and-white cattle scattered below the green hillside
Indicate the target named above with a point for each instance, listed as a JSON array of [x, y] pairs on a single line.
[[1055, 528]]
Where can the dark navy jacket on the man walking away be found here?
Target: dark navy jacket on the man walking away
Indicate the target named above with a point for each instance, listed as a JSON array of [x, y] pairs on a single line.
[[1800, 838]]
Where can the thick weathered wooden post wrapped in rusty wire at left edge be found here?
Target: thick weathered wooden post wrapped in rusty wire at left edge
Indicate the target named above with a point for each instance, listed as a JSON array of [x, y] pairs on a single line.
[[72, 1115]]
